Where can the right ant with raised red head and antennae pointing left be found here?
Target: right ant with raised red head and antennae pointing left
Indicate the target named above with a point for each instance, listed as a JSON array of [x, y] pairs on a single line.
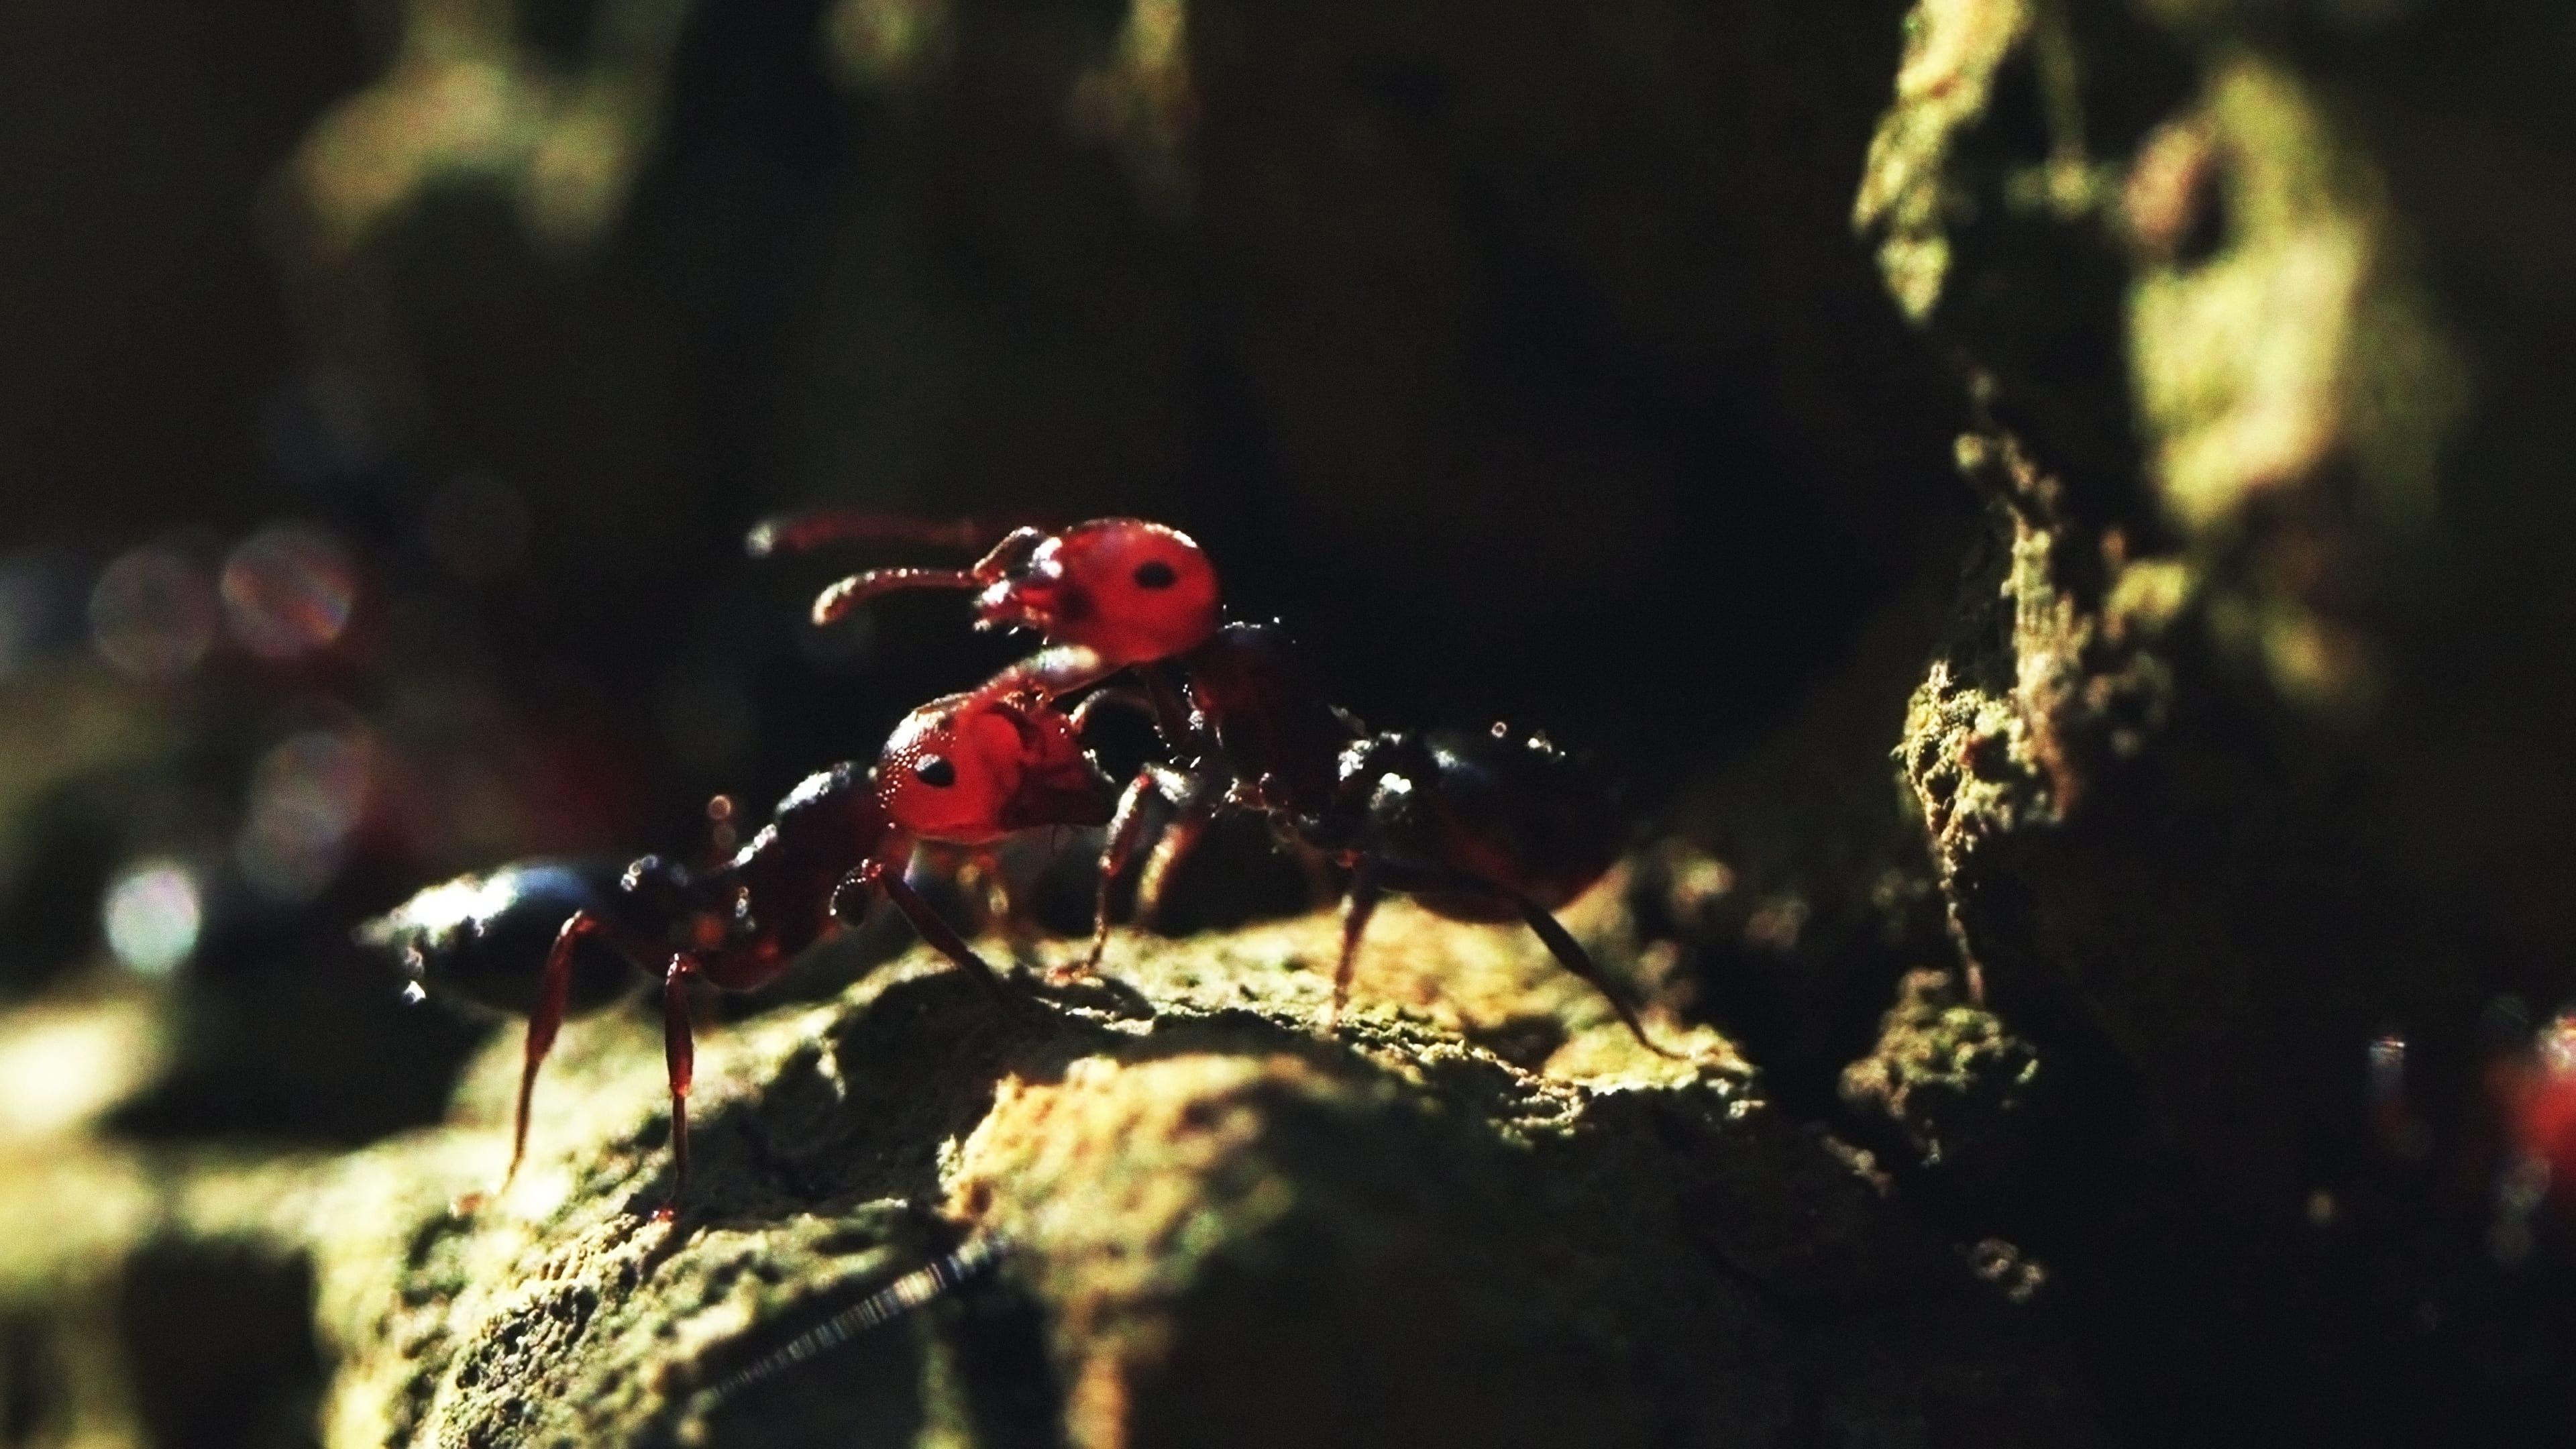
[[1475, 826]]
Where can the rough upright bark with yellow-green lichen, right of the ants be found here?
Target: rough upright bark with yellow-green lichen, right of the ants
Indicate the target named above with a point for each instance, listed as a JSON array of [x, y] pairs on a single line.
[[2211, 759]]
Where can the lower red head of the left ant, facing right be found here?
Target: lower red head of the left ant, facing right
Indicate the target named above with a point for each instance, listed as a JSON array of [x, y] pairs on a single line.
[[972, 770]]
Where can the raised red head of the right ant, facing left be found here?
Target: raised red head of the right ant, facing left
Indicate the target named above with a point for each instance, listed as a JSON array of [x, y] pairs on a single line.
[[1124, 589]]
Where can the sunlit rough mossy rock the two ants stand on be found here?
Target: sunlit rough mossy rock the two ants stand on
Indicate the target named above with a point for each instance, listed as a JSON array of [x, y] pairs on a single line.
[[1222, 1226]]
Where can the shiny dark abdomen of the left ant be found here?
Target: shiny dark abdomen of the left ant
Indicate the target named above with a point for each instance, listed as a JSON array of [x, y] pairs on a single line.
[[483, 940]]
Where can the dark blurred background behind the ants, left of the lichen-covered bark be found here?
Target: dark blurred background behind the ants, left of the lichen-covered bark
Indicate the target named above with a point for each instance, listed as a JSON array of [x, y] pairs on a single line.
[[388, 385]]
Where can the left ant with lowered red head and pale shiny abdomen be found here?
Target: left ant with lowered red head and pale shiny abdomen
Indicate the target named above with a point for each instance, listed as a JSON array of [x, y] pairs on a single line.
[[962, 770]]
